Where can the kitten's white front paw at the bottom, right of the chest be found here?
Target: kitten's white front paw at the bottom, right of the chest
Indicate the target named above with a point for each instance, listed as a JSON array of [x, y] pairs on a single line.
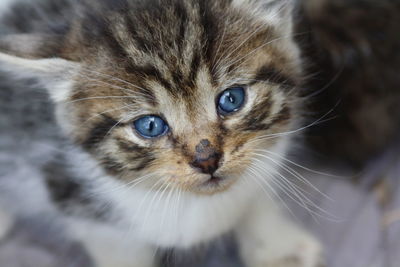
[[304, 253]]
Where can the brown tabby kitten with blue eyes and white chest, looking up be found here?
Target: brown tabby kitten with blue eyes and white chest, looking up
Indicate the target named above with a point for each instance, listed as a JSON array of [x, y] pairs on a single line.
[[180, 112]]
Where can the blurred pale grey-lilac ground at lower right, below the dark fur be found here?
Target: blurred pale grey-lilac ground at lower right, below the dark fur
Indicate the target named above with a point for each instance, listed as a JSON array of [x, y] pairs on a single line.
[[367, 232]]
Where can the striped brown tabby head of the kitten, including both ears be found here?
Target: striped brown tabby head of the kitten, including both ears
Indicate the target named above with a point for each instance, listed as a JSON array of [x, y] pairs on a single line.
[[183, 93]]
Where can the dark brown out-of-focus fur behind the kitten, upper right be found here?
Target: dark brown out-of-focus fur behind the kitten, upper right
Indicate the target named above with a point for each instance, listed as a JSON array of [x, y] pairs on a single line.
[[352, 51]]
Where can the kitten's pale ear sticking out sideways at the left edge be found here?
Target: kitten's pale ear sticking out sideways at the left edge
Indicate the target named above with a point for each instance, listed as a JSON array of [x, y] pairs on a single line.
[[36, 57]]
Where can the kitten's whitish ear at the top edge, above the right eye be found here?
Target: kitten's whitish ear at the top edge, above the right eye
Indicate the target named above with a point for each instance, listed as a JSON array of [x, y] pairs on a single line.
[[277, 13]]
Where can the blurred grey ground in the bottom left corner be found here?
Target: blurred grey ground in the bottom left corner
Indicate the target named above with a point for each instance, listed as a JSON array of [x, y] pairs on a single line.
[[33, 242]]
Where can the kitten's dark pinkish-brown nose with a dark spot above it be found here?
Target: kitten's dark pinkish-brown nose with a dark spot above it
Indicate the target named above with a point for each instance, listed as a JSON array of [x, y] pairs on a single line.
[[206, 157]]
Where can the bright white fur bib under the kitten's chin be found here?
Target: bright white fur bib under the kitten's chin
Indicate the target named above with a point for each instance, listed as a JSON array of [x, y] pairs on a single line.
[[169, 218]]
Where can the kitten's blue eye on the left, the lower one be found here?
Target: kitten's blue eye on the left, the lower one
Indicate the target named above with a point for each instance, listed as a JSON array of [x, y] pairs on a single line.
[[151, 126]]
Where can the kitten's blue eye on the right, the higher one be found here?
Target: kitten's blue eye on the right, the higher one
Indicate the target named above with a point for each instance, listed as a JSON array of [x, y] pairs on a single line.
[[231, 100]]
